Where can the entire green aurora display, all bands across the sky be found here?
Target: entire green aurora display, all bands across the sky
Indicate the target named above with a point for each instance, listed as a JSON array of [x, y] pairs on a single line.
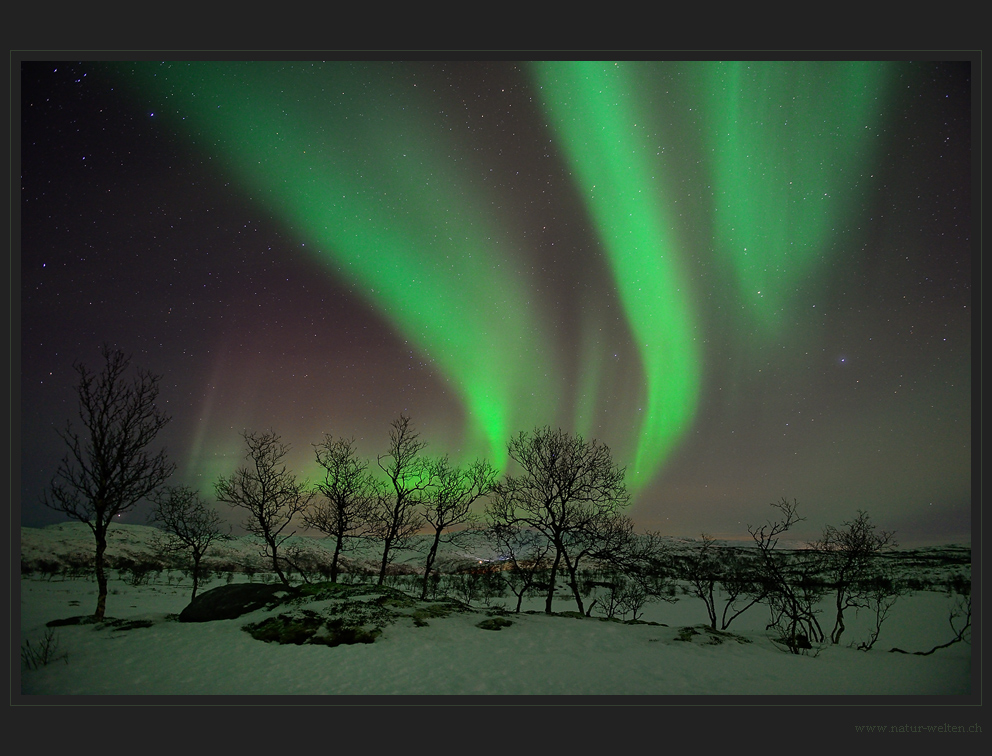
[[344, 159]]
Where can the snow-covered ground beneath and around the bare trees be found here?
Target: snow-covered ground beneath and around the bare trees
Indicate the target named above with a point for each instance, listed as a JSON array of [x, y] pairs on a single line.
[[538, 655]]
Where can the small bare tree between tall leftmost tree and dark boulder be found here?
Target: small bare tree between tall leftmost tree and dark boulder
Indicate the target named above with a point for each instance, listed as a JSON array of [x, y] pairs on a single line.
[[192, 525]]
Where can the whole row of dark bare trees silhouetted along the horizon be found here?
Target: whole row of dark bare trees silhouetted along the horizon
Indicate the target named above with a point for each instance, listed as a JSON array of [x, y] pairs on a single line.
[[558, 518]]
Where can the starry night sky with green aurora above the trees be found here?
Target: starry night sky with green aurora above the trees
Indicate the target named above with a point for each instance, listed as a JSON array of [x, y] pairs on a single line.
[[752, 280]]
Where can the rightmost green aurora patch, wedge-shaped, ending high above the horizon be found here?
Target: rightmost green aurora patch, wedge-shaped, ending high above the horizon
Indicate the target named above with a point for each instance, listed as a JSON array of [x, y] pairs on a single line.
[[789, 145]]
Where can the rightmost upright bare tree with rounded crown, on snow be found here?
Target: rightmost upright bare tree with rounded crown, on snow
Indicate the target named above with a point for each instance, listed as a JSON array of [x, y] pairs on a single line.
[[851, 560]]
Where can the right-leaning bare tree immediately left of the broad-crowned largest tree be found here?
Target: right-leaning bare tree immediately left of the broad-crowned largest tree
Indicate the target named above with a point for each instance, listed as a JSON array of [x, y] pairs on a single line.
[[449, 502]]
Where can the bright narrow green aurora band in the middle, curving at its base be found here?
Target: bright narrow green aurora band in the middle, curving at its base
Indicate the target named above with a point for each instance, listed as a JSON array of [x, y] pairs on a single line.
[[593, 107]]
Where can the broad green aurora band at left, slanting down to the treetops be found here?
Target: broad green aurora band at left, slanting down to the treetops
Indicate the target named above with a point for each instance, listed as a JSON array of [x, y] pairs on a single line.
[[346, 163]]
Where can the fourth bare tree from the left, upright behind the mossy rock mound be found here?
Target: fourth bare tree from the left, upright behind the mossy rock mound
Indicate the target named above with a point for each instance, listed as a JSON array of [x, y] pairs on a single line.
[[349, 495]]
